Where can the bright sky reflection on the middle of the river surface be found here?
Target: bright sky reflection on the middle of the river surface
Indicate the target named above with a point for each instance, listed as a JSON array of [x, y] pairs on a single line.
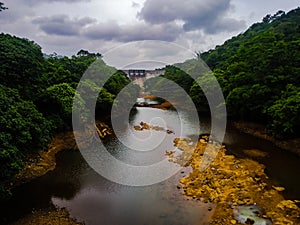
[[100, 201]]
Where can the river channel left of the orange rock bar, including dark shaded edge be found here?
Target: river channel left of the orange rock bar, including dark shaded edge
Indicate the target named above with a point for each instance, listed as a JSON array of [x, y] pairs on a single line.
[[93, 199]]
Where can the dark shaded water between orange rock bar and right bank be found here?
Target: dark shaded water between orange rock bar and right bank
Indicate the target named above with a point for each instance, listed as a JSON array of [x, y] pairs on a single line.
[[282, 167]]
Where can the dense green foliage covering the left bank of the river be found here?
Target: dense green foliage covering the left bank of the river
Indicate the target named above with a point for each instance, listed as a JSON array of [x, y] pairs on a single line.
[[36, 98]]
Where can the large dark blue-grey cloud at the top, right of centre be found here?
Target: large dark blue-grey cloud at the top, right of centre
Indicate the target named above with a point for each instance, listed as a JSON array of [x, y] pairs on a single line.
[[210, 16]]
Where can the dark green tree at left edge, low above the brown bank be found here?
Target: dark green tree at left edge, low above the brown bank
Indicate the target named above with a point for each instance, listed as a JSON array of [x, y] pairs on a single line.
[[24, 130]]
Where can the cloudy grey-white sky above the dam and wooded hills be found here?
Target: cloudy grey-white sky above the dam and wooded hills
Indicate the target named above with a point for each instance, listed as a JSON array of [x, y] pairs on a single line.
[[66, 26]]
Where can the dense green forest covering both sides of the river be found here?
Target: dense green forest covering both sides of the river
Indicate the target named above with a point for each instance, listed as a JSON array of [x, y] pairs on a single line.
[[258, 70]]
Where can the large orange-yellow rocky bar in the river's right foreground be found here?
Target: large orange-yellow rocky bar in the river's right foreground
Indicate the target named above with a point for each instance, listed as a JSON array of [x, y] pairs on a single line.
[[231, 184]]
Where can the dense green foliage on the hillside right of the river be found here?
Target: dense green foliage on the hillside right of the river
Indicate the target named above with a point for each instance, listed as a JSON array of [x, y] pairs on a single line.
[[258, 71]]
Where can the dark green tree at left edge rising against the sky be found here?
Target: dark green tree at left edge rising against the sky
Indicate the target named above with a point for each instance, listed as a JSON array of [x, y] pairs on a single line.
[[21, 65]]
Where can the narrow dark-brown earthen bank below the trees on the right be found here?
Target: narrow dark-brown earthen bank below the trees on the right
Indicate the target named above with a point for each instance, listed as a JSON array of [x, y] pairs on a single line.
[[260, 131]]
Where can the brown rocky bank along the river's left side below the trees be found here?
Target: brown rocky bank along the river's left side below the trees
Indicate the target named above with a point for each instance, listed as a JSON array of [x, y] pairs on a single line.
[[45, 161]]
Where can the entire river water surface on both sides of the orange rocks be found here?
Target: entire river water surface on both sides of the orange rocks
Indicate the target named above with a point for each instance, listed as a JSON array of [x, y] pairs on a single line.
[[97, 201]]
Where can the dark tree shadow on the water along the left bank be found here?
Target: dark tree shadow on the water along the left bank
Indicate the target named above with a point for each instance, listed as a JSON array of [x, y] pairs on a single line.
[[37, 194]]
